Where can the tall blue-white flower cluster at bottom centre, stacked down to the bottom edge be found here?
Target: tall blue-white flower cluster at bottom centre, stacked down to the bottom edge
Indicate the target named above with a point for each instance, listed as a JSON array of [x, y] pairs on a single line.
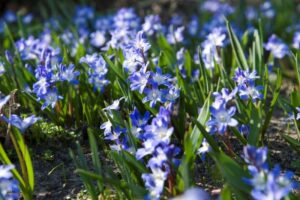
[[156, 142]]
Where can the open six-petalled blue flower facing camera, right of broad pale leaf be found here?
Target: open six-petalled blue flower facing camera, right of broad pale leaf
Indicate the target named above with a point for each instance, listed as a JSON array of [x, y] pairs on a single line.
[[221, 117]]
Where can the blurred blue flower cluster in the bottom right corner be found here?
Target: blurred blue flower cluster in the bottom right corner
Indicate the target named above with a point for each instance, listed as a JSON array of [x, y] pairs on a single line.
[[267, 183]]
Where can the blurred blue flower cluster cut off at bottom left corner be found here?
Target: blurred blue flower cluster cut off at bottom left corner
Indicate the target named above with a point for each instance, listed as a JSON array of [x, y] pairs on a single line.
[[9, 187]]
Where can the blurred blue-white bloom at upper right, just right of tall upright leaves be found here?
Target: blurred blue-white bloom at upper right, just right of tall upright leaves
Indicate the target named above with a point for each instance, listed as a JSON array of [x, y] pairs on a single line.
[[277, 47]]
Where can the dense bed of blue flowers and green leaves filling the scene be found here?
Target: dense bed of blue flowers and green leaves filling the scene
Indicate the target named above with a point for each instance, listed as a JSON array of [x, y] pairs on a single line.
[[156, 97]]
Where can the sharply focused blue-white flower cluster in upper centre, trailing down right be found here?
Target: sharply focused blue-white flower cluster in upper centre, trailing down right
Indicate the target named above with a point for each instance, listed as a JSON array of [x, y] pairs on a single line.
[[157, 87]]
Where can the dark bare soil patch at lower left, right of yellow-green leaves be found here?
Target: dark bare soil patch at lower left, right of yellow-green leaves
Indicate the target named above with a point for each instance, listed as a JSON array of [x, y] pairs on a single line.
[[55, 176]]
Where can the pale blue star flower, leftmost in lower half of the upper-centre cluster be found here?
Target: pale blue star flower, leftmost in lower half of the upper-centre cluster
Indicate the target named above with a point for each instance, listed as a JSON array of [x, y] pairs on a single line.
[[138, 80]]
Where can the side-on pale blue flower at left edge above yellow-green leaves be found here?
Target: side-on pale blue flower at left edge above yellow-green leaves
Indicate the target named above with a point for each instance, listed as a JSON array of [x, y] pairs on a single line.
[[21, 124]]
